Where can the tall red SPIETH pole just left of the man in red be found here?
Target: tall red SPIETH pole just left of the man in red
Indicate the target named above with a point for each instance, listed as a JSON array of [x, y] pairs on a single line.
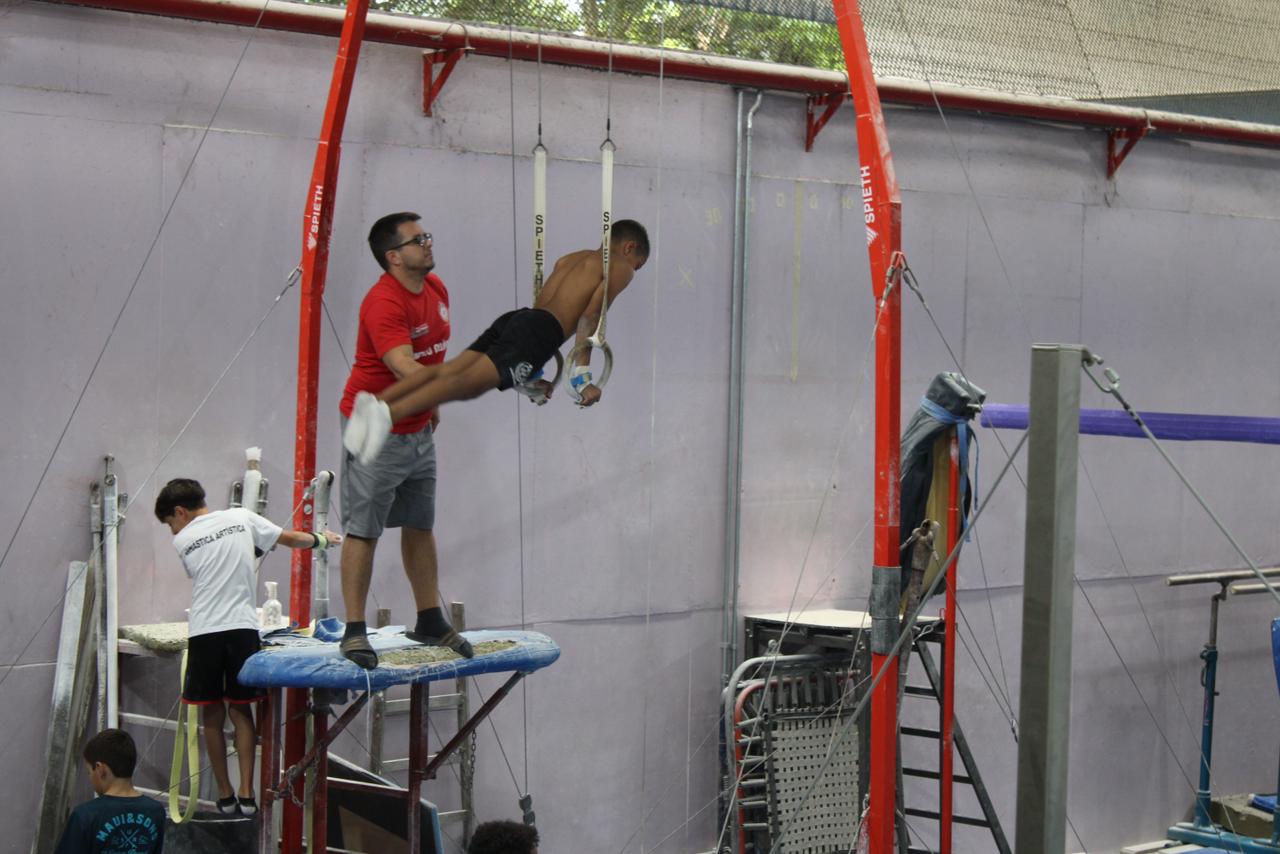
[[318, 223]]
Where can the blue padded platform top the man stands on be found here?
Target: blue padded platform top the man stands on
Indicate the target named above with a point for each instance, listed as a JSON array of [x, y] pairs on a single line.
[[300, 661]]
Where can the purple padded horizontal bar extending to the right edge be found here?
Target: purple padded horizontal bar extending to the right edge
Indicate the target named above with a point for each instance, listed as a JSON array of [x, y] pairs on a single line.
[[1167, 426]]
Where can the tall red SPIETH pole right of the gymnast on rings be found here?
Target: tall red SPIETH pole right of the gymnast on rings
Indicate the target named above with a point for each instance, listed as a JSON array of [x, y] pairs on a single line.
[[883, 213]]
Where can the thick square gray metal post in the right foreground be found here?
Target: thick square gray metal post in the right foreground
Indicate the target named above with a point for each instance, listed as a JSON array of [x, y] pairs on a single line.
[[1045, 702]]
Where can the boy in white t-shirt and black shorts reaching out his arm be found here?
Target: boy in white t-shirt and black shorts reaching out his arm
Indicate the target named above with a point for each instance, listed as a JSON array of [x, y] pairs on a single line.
[[217, 551]]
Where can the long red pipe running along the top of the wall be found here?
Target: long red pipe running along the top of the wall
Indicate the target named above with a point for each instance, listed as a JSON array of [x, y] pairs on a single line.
[[436, 35]]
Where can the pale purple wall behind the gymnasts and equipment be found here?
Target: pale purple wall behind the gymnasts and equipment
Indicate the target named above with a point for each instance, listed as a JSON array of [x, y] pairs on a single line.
[[150, 223]]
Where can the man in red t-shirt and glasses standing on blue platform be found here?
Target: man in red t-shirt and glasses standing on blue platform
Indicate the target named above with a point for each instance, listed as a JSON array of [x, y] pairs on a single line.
[[404, 327]]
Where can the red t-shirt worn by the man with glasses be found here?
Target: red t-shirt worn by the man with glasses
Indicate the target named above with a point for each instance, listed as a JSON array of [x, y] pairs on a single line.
[[390, 318]]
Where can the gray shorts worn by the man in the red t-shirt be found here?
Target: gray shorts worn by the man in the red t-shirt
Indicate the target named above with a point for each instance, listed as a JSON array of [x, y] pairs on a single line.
[[395, 491]]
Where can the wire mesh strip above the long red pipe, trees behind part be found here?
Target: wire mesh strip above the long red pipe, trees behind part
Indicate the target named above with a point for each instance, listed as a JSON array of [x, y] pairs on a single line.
[[1218, 60]]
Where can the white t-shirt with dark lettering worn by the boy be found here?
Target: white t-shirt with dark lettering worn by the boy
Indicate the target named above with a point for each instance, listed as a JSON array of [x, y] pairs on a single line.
[[217, 551]]
